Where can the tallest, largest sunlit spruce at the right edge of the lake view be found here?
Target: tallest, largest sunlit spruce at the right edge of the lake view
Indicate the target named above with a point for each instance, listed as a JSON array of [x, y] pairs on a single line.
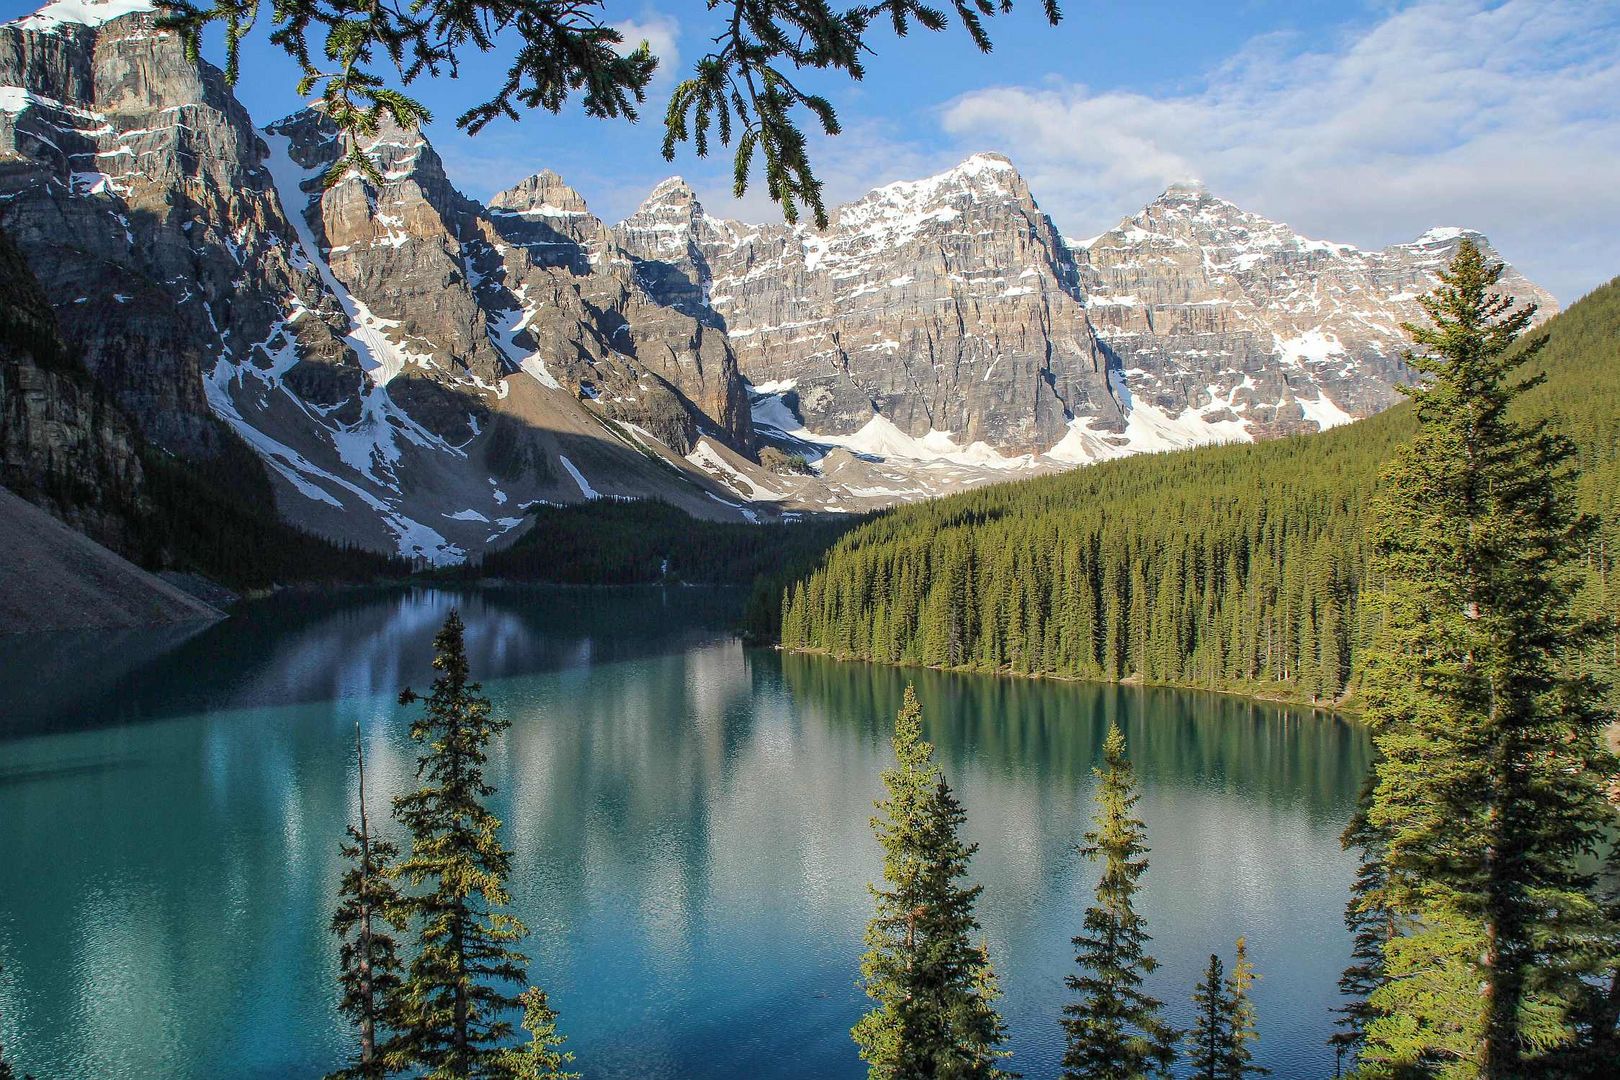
[[1488, 789]]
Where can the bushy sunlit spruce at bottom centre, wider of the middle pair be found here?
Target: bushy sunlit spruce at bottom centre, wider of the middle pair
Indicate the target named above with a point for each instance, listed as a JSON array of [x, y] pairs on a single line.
[[936, 989]]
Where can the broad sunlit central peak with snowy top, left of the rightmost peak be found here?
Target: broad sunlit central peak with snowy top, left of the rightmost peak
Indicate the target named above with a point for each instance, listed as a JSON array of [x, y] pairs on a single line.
[[947, 305]]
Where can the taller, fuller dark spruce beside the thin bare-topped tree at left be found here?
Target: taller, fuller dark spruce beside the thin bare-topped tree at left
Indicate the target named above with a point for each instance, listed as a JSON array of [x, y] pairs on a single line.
[[463, 979]]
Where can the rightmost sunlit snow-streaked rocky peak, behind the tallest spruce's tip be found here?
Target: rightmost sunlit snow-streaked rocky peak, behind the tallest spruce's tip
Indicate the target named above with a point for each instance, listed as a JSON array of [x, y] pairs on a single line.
[[1224, 318]]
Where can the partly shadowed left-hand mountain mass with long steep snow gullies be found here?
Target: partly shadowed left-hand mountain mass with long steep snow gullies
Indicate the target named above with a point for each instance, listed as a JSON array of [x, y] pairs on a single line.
[[411, 367]]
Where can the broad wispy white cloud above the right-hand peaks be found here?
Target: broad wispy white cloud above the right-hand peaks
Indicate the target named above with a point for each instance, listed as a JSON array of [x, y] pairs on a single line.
[[1501, 117]]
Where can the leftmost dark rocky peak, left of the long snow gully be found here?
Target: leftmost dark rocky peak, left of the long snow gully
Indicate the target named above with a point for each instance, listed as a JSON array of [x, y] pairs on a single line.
[[130, 181]]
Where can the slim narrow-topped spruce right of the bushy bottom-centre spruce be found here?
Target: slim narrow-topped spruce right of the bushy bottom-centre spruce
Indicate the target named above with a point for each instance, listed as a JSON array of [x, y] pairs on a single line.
[[1115, 1031]]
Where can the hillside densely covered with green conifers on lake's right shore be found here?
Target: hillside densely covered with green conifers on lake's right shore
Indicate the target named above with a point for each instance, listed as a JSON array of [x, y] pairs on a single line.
[[1232, 568]]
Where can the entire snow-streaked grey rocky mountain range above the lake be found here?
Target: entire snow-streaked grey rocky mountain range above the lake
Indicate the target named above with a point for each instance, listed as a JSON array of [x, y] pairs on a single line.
[[414, 368]]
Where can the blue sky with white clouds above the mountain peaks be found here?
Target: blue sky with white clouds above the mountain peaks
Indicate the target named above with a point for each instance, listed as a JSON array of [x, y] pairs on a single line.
[[1362, 122]]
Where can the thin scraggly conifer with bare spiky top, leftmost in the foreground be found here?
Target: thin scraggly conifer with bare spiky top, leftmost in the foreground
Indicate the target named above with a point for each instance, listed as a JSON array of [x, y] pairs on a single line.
[[369, 908]]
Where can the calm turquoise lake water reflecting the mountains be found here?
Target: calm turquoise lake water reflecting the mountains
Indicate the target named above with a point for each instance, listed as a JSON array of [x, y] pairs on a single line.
[[689, 820]]
